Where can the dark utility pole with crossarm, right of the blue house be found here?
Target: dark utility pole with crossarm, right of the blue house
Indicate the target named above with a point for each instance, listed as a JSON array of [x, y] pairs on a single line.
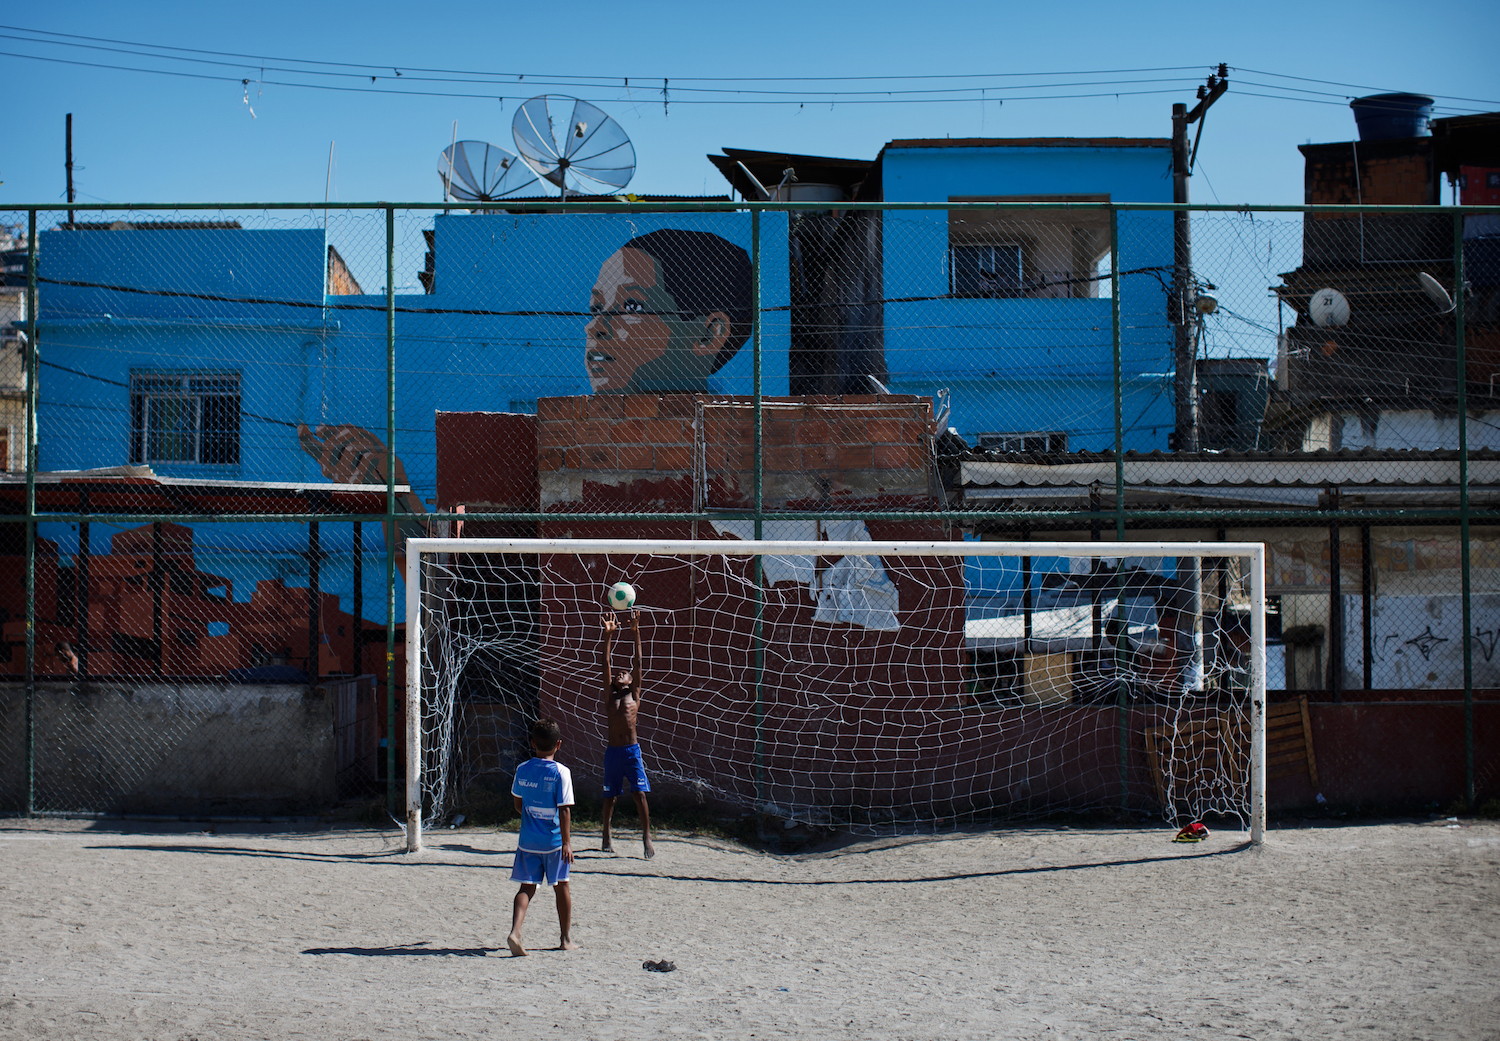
[[1183, 308]]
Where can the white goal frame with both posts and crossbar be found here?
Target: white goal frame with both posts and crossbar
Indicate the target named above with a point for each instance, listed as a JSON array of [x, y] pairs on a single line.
[[419, 550]]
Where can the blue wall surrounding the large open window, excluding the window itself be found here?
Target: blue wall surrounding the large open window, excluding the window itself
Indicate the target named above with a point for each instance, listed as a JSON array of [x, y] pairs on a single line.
[[1019, 365]]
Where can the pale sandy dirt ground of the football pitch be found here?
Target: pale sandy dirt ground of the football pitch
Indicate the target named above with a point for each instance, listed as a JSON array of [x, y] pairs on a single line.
[[1363, 931]]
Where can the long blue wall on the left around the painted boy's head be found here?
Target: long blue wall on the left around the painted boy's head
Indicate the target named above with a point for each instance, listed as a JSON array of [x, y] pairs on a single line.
[[253, 304]]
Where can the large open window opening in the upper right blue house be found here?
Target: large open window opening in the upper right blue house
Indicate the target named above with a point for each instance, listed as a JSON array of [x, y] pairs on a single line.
[[1040, 254]]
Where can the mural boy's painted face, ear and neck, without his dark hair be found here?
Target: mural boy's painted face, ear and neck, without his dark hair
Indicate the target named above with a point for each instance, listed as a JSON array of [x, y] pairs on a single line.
[[638, 341]]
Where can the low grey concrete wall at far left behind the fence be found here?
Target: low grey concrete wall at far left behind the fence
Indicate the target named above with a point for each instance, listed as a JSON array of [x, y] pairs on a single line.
[[176, 749]]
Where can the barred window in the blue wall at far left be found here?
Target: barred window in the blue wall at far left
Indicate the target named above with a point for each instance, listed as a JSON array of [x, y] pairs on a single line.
[[185, 418]]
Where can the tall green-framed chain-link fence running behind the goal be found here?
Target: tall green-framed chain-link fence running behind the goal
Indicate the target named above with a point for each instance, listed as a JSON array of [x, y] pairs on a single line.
[[221, 425]]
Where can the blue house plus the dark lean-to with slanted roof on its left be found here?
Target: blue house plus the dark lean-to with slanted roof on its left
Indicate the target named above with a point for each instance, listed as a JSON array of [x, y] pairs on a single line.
[[1007, 311]]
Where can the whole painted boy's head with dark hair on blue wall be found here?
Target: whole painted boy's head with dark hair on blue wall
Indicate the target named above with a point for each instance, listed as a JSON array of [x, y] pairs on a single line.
[[670, 310]]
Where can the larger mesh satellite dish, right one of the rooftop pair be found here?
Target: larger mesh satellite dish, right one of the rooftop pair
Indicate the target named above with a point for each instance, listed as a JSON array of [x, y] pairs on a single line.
[[575, 146]]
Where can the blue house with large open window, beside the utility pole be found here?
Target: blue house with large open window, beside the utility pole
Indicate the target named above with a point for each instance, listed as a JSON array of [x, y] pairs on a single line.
[[1022, 296]]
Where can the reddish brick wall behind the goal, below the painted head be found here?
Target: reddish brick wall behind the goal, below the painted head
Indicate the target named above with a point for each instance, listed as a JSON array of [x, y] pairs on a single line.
[[688, 452]]
